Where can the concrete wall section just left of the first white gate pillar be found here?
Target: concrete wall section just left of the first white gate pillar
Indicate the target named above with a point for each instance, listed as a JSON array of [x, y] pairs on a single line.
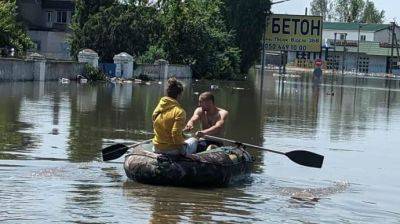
[[63, 69]]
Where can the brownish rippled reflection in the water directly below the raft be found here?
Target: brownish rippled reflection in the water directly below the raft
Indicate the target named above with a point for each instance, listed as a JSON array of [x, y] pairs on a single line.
[[190, 205]]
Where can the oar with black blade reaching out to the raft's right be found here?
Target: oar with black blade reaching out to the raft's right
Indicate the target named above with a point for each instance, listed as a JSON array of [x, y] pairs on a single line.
[[301, 157]]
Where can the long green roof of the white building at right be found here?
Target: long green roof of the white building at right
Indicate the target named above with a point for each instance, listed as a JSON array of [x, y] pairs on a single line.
[[354, 26]]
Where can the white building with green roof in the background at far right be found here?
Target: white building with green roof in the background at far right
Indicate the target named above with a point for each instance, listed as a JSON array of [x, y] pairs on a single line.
[[342, 42]]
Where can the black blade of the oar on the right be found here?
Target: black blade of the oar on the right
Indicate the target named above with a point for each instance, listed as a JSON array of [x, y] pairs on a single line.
[[306, 158]]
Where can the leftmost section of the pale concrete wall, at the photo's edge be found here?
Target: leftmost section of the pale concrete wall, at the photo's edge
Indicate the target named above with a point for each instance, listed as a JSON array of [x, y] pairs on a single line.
[[16, 70]]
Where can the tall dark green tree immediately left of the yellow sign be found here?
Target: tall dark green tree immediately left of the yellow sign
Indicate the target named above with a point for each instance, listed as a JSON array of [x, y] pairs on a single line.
[[247, 21]]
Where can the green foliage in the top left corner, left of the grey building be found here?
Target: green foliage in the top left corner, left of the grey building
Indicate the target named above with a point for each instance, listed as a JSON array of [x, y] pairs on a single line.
[[12, 33]]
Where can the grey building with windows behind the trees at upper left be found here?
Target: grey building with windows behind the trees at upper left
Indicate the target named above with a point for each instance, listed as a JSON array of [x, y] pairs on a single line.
[[48, 25]]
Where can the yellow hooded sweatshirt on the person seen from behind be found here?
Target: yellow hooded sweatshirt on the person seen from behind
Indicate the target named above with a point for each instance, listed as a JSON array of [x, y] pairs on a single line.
[[168, 122]]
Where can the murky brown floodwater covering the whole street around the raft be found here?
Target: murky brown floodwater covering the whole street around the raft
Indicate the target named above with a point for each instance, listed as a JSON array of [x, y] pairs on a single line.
[[51, 136]]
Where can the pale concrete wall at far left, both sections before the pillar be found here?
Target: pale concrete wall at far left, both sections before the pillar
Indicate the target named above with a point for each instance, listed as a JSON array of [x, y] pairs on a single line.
[[29, 70]]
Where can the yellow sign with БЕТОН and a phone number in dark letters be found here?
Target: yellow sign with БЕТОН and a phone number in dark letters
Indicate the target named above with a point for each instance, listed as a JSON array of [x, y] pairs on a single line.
[[294, 33]]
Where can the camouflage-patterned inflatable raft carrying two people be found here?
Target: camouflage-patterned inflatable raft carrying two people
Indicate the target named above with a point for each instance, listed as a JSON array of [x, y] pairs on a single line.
[[217, 167]]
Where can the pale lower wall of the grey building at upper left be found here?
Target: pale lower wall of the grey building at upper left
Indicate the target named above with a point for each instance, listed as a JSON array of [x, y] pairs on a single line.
[[51, 44]]
